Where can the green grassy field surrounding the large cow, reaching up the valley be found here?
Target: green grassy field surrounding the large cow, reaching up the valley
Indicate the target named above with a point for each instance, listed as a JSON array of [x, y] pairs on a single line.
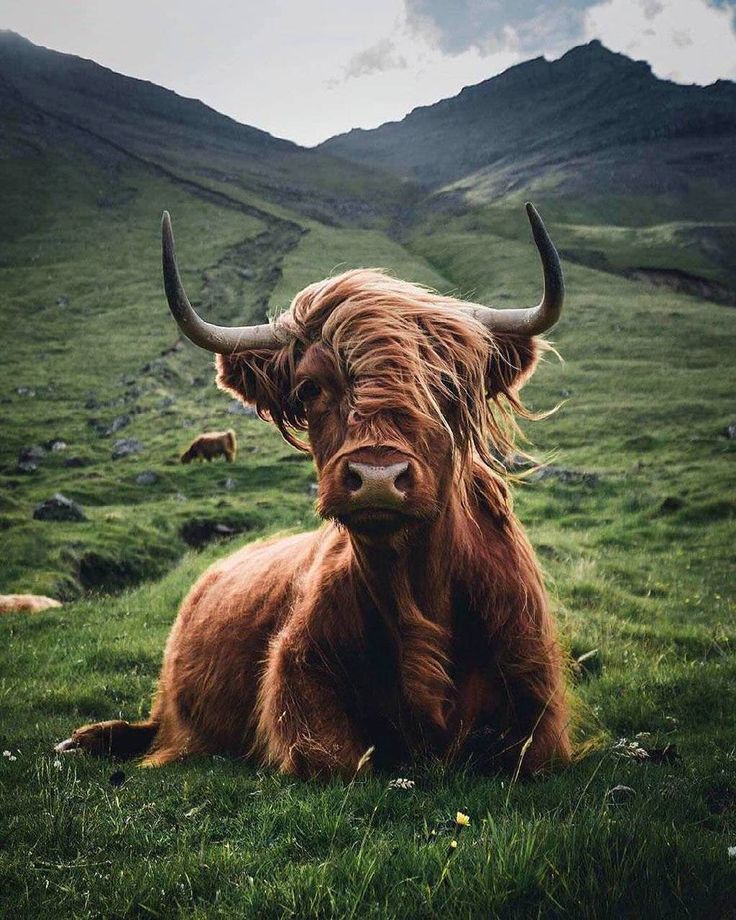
[[639, 557]]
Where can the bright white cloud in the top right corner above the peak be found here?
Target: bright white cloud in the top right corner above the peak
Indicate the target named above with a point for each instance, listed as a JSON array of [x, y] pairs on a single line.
[[689, 41]]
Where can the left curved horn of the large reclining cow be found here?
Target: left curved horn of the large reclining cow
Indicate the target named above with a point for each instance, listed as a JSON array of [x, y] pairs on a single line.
[[224, 340]]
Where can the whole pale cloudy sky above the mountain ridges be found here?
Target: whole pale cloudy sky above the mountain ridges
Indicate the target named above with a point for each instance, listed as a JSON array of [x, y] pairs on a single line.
[[306, 70]]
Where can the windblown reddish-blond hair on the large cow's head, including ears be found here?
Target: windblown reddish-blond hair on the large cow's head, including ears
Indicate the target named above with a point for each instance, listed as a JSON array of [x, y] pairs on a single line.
[[409, 351]]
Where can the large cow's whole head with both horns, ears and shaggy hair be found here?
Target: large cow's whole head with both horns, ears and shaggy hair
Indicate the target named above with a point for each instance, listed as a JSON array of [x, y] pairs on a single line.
[[399, 388]]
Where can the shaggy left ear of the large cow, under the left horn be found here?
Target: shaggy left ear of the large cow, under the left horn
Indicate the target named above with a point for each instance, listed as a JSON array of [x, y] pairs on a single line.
[[262, 379]]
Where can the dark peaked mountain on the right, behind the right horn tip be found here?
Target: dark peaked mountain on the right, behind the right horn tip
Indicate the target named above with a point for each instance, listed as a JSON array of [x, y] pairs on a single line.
[[599, 142]]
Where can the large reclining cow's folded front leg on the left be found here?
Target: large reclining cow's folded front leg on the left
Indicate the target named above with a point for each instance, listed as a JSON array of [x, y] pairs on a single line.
[[303, 727]]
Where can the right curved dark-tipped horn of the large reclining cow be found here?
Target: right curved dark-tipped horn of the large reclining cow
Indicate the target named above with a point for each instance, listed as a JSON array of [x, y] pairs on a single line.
[[533, 320]]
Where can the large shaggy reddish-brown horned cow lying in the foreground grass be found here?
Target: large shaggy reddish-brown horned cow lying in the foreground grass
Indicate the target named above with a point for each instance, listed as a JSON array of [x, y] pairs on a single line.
[[415, 619]]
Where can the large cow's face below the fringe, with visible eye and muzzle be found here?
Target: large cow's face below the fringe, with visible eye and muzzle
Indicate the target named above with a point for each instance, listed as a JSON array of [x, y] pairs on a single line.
[[384, 461]]
